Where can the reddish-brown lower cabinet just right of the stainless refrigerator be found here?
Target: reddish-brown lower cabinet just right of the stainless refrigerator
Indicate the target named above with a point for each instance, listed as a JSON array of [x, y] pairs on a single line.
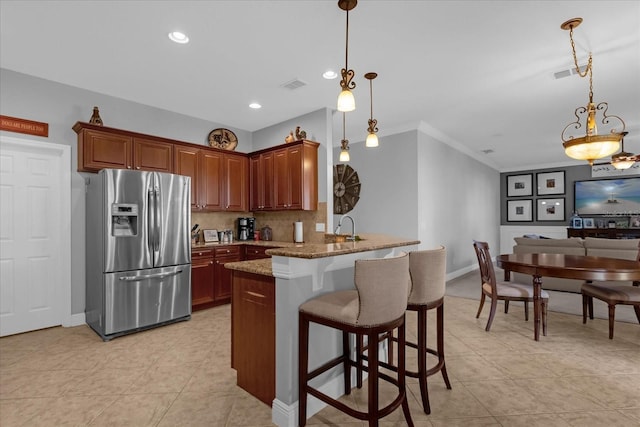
[[210, 281]]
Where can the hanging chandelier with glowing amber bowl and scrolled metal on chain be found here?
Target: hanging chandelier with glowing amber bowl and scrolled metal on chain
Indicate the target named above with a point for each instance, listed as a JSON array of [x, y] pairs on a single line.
[[592, 145]]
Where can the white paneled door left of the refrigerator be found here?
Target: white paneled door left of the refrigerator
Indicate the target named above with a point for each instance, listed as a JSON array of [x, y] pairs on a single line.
[[34, 235]]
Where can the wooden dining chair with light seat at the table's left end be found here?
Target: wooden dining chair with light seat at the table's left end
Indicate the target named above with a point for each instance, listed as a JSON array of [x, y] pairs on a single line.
[[505, 291]]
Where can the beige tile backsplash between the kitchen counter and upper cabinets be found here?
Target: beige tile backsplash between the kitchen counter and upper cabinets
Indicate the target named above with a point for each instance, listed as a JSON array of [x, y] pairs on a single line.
[[281, 222]]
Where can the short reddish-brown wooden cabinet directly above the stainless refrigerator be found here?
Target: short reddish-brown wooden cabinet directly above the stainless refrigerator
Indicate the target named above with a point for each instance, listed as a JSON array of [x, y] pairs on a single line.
[[103, 148]]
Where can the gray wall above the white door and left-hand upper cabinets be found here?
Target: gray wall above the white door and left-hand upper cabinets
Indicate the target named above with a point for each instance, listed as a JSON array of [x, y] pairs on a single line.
[[61, 106]]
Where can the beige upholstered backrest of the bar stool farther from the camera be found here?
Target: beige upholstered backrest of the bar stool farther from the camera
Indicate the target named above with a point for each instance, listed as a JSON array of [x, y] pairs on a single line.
[[428, 270]]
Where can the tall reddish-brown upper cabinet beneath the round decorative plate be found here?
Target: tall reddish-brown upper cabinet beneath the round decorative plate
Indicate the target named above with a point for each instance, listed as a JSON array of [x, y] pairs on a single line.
[[218, 179]]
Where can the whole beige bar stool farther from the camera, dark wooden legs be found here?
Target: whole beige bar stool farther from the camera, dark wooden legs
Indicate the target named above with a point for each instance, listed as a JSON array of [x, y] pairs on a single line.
[[428, 278]]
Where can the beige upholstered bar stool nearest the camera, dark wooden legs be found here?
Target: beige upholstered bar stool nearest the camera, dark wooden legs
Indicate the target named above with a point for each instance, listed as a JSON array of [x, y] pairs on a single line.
[[376, 306]]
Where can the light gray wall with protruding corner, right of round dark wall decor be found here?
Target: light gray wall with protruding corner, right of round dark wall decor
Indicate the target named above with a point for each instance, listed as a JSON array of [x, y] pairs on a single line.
[[418, 187]]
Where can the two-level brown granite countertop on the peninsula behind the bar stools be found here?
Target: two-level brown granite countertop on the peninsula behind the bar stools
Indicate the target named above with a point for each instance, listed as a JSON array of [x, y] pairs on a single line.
[[368, 242]]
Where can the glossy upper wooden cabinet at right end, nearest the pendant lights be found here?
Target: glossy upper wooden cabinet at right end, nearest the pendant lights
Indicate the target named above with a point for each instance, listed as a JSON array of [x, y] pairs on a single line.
[[295, 176]]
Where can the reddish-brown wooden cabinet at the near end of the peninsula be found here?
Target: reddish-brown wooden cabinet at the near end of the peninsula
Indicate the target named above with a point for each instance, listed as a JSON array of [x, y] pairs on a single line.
[[253, 334]]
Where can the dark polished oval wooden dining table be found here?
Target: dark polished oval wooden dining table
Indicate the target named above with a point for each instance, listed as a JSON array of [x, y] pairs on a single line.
[[566, 266]]
